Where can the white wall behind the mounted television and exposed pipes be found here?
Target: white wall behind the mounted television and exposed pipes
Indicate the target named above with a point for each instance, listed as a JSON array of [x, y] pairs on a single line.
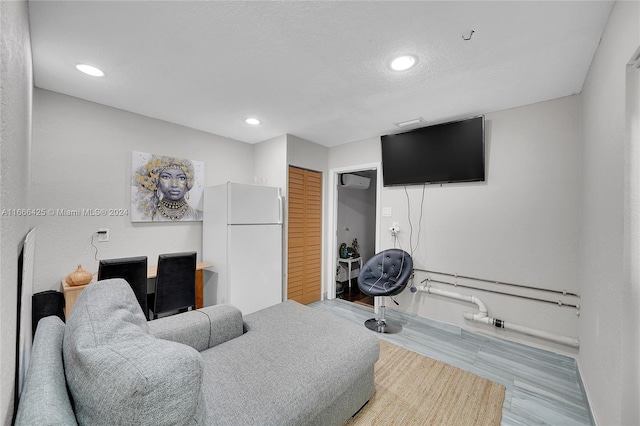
[[520, 226]]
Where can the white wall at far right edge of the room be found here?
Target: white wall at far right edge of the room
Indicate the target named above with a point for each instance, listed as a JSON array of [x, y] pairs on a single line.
[[607, 354]]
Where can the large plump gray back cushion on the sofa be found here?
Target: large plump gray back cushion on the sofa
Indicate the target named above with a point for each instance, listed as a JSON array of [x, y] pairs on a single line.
[[118, 373]]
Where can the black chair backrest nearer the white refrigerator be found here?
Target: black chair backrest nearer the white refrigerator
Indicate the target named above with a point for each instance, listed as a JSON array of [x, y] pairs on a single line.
[[175, 282]]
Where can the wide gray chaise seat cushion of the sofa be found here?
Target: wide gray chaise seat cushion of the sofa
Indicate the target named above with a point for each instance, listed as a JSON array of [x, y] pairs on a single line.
[[294, 364]]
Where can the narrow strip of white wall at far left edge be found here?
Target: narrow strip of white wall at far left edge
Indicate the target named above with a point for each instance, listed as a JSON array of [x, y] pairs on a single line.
[[15, 88]]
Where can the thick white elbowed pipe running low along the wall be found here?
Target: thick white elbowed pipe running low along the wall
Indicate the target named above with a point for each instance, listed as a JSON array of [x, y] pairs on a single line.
[[483, 317]]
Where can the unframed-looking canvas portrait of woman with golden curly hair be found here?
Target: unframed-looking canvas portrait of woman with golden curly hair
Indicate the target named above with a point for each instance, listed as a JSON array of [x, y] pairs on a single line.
[[165, 189]]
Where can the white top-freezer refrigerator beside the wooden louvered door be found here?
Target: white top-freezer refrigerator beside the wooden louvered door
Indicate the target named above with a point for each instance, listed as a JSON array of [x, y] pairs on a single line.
[[242, 239]]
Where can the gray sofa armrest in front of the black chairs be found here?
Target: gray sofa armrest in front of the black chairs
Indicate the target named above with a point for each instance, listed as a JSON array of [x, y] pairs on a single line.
[[202, 328]]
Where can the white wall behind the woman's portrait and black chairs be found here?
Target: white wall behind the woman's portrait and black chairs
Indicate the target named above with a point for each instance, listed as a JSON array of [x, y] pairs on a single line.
[[82, 159]]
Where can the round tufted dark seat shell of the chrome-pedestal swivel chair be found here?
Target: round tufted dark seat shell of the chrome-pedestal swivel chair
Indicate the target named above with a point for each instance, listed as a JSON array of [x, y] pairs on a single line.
[[386, 273]]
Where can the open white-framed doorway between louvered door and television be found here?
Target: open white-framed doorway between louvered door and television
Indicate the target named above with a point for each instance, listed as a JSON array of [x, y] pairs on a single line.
[[356, 201]]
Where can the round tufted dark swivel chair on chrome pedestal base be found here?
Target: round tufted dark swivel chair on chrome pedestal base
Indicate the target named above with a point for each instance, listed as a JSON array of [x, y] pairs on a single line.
[[385, 274]]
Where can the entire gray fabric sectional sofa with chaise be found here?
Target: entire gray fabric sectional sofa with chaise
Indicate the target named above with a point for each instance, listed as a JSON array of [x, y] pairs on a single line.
[[285, 365]]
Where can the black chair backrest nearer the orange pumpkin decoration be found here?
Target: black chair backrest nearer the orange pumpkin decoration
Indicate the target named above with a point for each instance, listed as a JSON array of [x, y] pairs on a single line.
[[133, 270]]
